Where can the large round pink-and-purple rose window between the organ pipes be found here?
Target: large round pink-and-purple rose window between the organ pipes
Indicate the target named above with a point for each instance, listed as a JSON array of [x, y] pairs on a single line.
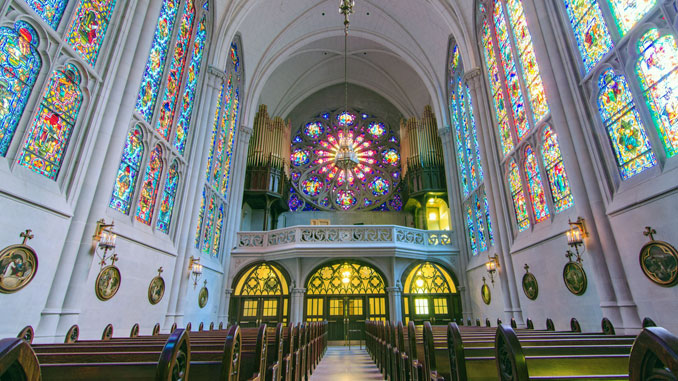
[[345, 161]]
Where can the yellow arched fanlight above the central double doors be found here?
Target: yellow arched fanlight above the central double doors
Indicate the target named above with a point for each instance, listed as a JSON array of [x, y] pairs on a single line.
[[345, 278]]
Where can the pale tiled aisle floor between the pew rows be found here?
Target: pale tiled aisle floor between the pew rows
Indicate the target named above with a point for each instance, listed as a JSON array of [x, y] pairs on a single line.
[[342, 364]]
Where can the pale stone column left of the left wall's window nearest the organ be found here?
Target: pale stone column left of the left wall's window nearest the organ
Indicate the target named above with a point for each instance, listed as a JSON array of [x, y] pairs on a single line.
[[175, 313]]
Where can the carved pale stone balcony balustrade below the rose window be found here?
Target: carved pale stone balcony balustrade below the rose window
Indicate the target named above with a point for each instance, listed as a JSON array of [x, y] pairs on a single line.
[[344, 236]]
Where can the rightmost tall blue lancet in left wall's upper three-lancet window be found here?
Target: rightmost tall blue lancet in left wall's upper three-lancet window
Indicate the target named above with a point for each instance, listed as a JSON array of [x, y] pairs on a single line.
[[188, 98]]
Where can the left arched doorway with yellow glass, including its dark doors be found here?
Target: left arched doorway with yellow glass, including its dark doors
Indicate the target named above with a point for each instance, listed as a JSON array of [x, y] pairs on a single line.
[[261, 295]]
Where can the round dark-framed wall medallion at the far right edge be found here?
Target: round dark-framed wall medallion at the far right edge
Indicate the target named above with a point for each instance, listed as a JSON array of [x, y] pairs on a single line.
[[659, 261]]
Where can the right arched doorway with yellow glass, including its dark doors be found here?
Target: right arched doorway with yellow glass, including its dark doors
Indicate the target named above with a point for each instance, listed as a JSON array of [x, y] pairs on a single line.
[[430, 294]]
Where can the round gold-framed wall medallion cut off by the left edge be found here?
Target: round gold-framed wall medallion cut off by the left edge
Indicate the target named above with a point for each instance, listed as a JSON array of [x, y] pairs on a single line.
[[18, 265]]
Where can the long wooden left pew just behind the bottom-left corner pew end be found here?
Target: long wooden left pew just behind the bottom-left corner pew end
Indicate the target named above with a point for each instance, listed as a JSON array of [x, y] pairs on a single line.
[[169, 362]]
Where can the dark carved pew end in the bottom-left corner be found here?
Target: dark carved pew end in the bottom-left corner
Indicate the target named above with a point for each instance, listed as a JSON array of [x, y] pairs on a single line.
[[18, 361]]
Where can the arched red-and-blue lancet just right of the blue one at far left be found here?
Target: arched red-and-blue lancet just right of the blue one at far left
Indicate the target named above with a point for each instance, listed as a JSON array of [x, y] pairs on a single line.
[[49, 133]]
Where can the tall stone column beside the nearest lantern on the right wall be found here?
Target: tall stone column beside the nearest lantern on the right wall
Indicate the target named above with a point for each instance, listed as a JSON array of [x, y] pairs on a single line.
[[616, 300]]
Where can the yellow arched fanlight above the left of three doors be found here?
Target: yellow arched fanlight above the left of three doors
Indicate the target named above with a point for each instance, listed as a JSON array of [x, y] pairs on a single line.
[[262, 279]]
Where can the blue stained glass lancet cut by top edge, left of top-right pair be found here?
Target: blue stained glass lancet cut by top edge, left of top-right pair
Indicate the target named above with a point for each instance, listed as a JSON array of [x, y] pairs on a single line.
[[590, 31]]
